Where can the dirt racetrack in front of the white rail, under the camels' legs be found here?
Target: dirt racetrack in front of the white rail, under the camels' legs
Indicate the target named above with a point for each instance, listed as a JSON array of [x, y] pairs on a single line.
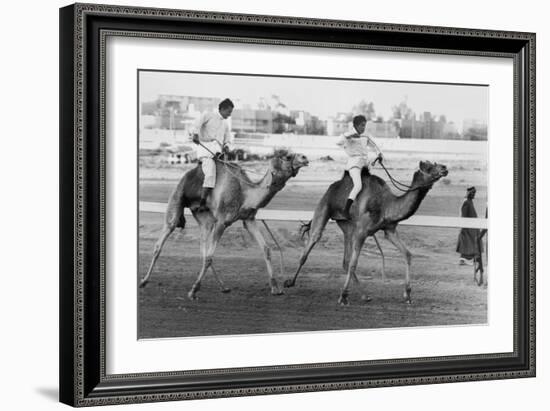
[[443, 292]]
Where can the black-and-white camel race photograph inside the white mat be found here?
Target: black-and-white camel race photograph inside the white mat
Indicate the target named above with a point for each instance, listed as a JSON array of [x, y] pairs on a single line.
[[283, 204]]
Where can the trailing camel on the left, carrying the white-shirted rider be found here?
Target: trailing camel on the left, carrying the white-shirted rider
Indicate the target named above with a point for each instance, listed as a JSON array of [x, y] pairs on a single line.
[[235, 197]]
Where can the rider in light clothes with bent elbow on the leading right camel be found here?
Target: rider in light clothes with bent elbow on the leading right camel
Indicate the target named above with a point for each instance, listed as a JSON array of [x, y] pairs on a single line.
[[356, 144]]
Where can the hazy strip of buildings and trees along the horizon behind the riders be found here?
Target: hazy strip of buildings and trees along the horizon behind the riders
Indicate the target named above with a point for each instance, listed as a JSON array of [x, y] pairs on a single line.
[[169, 119]]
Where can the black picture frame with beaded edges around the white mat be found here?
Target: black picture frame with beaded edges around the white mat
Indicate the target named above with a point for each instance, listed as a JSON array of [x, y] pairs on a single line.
[[83, 29]]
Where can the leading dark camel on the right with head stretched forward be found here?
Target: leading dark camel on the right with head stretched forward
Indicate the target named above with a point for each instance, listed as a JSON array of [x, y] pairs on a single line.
[[376, 208]]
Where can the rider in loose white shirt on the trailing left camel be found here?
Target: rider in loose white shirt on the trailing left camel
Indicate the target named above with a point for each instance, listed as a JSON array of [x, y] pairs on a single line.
[[212, 134]]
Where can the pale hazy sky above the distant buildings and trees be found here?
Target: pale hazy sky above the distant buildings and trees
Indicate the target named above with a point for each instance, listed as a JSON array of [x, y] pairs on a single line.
[[324, 97]]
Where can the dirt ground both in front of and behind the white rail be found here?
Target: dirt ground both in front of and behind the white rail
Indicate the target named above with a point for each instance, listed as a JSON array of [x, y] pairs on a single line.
[[443, 292]]
